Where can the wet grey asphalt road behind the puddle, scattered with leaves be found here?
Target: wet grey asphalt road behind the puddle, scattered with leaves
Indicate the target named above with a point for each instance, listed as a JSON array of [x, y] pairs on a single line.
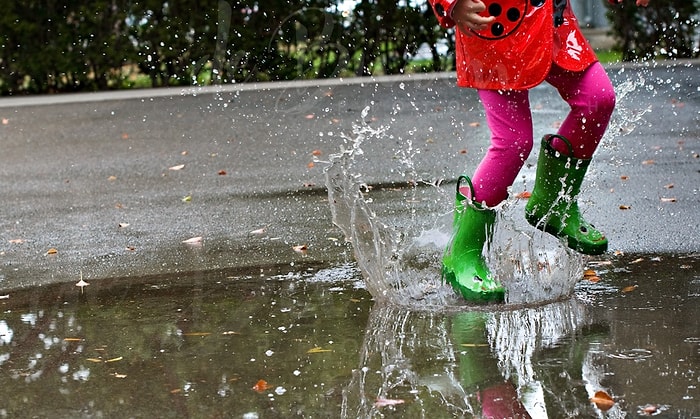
[[110, 185]]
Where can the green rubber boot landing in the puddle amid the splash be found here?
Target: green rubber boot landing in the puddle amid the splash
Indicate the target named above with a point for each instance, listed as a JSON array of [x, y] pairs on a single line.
[[463, 264]]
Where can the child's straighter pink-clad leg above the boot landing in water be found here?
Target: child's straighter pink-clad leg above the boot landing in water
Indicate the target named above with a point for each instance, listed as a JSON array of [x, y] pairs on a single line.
[[509, 118]]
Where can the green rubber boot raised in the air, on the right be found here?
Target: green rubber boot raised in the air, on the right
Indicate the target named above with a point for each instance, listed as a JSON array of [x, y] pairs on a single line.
[[553, 206]]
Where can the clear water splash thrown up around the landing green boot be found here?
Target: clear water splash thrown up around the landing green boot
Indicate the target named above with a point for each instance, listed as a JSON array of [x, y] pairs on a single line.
[[400, 257]]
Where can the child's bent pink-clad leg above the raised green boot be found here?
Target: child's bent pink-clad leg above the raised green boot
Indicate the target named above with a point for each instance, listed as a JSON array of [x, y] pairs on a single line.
[[592, 99]]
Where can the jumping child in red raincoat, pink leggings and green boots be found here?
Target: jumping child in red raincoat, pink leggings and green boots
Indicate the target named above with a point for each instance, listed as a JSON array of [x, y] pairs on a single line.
[[504, 48]]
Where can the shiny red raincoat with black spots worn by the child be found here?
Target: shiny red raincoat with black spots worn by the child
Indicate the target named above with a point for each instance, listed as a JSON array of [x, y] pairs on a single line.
[[518, 49]]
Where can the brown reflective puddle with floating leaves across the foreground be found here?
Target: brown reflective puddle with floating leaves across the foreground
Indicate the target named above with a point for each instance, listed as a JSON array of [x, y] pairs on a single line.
[[199, 346]]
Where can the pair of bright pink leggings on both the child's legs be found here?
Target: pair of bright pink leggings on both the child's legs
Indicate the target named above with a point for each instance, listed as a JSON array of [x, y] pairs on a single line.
[[589, 94]]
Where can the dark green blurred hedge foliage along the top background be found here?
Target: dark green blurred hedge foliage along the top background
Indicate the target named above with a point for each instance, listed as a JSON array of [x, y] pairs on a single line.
[[50, 46]]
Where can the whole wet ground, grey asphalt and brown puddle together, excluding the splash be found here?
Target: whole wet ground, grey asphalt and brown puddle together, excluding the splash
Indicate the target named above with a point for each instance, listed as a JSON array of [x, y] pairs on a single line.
[[201, 221]]
